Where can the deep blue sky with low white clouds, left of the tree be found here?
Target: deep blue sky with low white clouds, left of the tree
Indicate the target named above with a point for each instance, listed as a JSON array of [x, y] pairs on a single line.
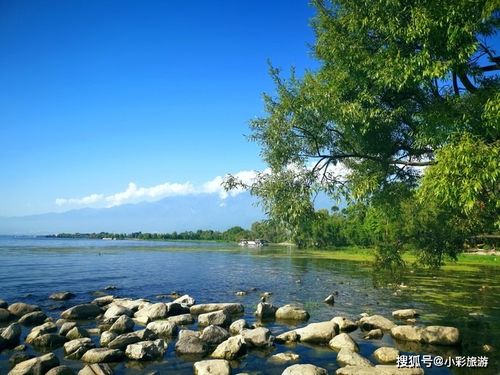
[[95, 95]]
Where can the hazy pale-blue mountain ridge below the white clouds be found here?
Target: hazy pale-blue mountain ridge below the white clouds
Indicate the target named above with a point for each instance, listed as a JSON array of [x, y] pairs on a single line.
[[181, 213]]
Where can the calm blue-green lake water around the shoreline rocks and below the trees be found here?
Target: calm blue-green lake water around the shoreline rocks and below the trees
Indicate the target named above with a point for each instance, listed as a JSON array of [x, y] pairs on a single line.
[[33, 268]]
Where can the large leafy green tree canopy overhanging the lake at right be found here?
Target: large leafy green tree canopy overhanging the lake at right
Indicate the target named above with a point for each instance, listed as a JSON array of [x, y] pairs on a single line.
[[404, 89]]
